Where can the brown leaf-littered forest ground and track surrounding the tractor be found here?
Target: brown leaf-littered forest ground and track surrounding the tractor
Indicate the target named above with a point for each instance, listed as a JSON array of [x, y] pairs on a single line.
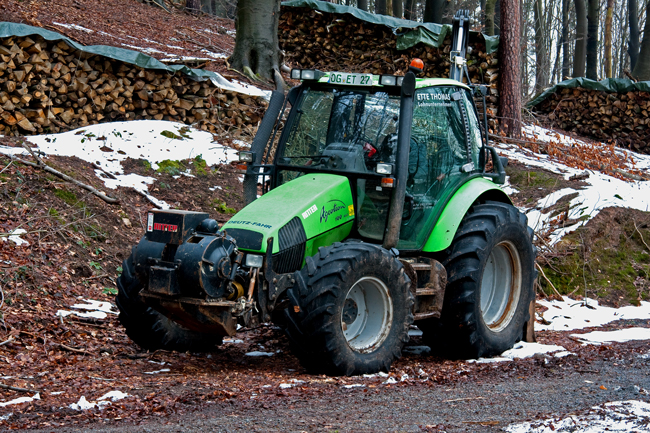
[[74, 244]]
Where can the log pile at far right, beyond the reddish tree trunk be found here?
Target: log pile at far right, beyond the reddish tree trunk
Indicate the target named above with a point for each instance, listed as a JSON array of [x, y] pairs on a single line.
[[619, 117]]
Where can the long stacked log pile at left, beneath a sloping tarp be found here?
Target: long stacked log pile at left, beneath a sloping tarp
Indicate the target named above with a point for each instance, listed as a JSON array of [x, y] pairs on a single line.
[[50, 87]]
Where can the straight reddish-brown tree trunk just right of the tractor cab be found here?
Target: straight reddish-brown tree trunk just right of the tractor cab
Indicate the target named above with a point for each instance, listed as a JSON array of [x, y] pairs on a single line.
[[510, 82]]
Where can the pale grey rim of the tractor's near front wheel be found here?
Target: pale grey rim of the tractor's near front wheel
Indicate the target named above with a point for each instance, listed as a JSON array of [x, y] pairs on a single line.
[[366, 315]]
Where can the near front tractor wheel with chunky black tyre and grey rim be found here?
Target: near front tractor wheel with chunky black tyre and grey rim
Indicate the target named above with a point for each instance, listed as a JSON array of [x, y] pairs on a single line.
[[350, 310]]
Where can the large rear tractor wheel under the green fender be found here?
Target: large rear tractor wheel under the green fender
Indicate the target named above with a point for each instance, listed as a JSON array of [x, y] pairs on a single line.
[[490, 269]]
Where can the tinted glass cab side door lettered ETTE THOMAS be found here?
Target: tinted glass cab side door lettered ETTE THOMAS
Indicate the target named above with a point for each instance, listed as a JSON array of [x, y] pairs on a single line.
[[444, 148]]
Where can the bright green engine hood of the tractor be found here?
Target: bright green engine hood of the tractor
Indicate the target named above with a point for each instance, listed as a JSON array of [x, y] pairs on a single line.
[[321, 202]]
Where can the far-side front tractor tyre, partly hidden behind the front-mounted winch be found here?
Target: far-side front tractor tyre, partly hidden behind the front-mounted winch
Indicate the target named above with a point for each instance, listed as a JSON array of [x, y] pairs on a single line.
[[150, 329]]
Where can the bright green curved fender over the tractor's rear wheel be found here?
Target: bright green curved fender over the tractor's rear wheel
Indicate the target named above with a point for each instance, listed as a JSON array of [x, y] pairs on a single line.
[[447, 225]]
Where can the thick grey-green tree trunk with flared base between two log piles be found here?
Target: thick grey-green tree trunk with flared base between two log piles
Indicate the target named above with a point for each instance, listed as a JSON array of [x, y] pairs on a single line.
[[256, 51]]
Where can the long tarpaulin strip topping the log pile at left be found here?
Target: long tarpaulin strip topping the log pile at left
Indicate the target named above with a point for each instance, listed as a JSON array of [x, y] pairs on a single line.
[[127, 56]]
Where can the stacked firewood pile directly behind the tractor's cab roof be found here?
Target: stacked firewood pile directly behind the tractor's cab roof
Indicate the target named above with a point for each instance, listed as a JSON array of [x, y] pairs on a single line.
[[334, 42]]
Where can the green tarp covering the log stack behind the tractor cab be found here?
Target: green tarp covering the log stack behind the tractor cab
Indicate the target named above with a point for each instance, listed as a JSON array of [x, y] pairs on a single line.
[[408, 33]]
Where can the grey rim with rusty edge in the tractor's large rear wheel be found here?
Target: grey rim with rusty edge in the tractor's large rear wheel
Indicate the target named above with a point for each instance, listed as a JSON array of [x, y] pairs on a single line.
[[501, 286]]
